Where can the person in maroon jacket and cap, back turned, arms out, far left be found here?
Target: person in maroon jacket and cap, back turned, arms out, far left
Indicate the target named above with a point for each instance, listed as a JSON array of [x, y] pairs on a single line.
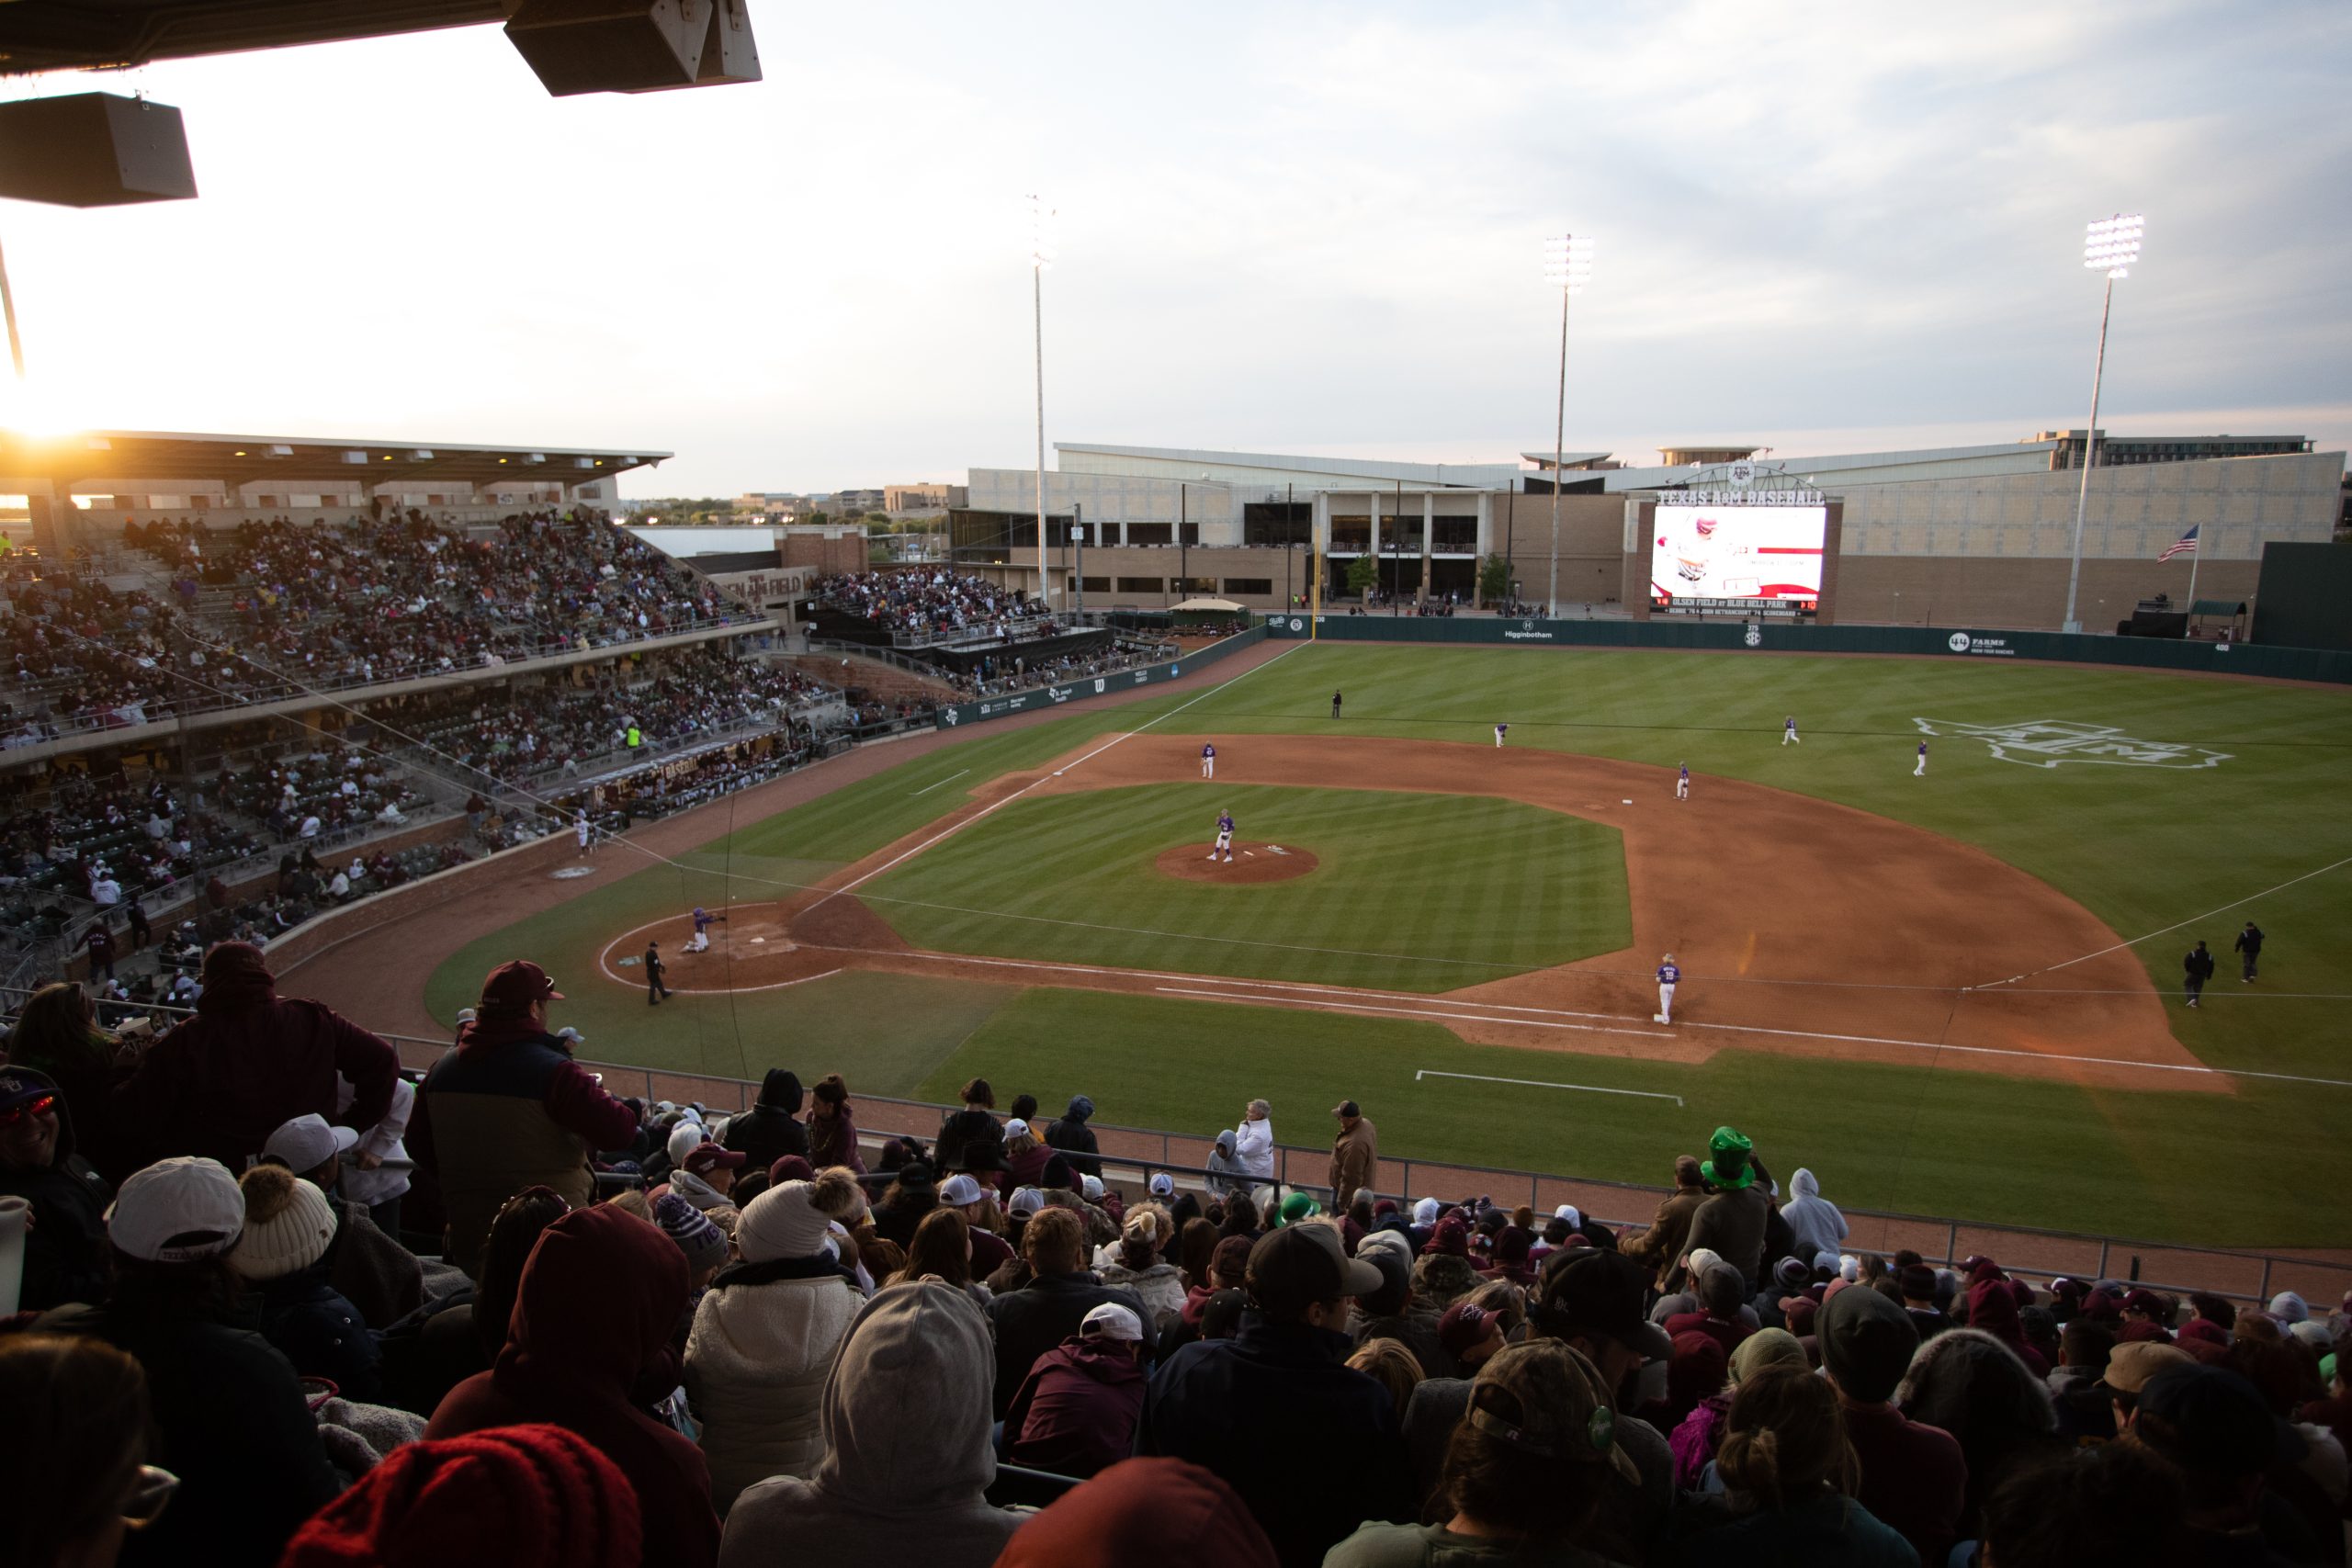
[[246, 1066]]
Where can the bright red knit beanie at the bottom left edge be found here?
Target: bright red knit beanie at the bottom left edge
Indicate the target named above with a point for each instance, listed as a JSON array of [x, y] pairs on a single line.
[[512, 1496]]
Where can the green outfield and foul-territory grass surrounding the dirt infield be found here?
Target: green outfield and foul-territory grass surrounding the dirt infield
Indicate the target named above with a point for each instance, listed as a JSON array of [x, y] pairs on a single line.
[[2139, 847]]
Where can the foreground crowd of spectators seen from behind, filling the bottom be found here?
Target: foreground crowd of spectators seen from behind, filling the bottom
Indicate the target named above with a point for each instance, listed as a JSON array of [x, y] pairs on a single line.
[[283, 1306]]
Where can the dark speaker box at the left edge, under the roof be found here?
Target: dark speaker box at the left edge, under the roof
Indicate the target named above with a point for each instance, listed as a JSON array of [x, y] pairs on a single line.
[[95, 149]]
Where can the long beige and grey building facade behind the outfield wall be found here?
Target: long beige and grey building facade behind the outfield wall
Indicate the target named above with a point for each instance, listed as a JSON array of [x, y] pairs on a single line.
[[1949, 535]]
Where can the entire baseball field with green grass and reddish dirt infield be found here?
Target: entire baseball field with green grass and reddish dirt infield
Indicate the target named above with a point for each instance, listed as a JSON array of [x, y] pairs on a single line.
[[1951, 993]]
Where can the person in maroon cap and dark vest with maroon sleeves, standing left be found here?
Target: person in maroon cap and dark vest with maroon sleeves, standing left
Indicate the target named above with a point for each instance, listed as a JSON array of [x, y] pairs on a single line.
[[507, 1108]]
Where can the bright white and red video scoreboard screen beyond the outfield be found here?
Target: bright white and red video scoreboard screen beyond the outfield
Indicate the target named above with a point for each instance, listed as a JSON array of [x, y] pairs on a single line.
[[1737, 558]]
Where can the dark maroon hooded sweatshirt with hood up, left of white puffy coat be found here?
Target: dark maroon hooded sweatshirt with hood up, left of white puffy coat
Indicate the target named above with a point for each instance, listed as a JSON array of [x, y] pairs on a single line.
[[596, 1304]]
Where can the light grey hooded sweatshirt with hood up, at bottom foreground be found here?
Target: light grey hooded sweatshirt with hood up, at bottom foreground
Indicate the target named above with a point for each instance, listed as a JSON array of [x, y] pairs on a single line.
[[907, 1454]]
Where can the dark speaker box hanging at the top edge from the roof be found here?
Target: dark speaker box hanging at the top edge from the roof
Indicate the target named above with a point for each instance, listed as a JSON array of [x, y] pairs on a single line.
[[634, 46]]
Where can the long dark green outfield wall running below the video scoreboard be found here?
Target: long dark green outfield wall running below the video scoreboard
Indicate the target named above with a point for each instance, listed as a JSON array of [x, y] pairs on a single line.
[[1789, 638]]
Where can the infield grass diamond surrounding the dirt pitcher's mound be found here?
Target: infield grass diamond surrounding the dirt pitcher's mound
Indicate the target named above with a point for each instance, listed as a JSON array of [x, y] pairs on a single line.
[[1412, 892]]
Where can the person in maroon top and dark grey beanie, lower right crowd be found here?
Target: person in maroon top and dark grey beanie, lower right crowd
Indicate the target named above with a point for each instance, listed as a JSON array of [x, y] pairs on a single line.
[[1913, 1477]]
